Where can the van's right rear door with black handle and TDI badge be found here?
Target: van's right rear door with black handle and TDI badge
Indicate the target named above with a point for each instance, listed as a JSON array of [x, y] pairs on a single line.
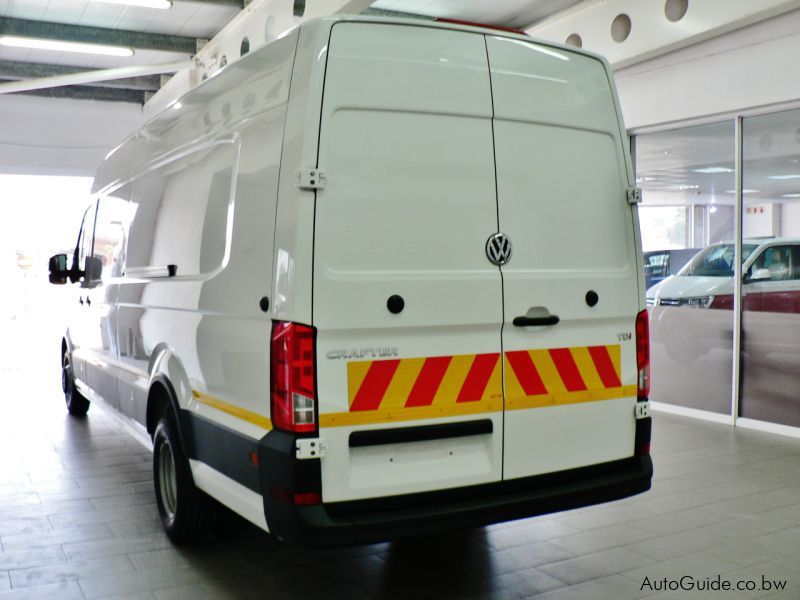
[[570, 382]]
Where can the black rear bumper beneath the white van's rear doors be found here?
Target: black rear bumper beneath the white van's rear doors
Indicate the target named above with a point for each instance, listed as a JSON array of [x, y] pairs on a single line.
[[382, 519]]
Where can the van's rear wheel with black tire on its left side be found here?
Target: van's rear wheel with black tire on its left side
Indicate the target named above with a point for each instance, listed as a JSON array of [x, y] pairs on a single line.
[[183, 508]]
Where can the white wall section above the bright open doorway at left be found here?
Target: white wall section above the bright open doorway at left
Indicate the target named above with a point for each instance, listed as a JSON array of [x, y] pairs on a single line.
[[49, 136]]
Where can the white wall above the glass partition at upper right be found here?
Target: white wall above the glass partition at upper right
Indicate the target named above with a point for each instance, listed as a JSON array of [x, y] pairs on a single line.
[[752, 67]]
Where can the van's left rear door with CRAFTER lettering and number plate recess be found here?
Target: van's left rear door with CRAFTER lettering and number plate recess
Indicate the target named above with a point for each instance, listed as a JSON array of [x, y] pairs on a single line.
[[407, 307]]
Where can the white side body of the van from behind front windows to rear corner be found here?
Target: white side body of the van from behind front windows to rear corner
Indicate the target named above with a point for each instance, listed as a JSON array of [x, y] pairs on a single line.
[[204, 198]]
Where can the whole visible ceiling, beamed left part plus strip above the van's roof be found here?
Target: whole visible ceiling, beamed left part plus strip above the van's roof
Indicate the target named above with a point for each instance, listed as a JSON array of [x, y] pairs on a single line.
[[165, 36]]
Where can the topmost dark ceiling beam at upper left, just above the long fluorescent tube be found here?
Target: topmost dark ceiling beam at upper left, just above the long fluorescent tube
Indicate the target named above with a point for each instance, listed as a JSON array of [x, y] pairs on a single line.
[[98, 35]]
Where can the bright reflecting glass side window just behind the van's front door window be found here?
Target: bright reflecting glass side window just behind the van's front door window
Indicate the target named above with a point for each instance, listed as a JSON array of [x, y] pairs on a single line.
[[113, 219]]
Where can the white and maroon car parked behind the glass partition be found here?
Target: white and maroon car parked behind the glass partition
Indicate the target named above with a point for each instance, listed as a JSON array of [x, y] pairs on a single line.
[[771, 278]]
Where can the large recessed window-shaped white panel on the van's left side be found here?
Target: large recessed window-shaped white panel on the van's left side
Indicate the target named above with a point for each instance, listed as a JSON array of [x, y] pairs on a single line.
[[182, 210]]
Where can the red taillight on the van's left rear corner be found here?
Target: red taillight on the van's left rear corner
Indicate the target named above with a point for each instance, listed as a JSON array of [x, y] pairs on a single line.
[[294, 396]]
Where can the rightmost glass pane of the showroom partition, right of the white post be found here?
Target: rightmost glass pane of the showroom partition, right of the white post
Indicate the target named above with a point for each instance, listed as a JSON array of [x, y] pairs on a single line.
[[770, 377]]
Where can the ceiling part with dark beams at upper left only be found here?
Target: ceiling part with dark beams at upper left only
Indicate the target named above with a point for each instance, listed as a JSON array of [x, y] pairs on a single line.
[[157, 36]]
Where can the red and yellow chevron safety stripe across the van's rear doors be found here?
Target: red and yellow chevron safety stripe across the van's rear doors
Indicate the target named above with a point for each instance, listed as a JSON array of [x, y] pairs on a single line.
[[406, 389]]
